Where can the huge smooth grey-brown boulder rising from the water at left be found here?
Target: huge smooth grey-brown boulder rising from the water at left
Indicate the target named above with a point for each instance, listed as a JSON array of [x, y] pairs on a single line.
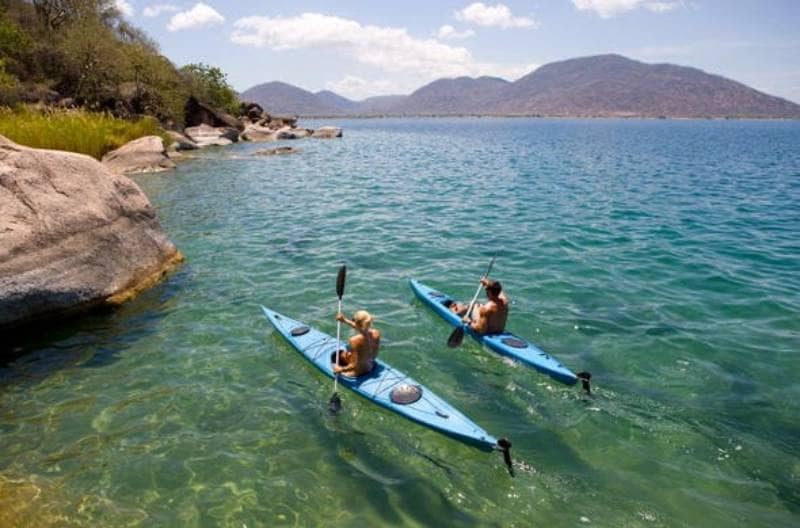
[[73, 235]]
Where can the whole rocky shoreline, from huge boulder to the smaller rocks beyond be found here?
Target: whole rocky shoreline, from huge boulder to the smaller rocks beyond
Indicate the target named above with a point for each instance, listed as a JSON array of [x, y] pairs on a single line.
[[78, 234]]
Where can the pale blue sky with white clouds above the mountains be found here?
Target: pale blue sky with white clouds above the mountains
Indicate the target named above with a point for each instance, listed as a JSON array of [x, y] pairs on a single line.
[[360, 48]]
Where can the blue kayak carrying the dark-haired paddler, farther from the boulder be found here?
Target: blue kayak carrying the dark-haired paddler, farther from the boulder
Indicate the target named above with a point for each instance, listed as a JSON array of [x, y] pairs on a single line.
[[505, 343]]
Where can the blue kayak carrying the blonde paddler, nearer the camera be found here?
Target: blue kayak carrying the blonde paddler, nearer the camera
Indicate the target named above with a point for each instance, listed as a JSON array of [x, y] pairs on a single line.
[[385, 385]]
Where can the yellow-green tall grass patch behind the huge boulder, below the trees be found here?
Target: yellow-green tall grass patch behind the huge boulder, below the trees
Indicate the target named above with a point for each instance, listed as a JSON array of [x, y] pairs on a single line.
[[81, 131]]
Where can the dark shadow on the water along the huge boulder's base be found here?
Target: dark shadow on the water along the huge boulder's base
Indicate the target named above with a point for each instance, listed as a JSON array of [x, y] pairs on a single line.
[[92, 340]]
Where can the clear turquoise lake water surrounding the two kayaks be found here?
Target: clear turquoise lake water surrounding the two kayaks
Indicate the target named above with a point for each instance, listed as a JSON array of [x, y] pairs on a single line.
[[663, 256]]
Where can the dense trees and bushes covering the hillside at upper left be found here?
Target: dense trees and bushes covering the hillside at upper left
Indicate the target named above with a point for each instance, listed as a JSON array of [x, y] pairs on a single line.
[[84, 53]]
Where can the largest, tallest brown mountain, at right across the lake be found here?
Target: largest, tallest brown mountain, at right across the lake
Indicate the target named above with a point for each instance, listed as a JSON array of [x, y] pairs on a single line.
[[612, 85]]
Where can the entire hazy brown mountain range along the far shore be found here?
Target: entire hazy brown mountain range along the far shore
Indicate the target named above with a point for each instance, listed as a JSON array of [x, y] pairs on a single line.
[[598, 86]]
